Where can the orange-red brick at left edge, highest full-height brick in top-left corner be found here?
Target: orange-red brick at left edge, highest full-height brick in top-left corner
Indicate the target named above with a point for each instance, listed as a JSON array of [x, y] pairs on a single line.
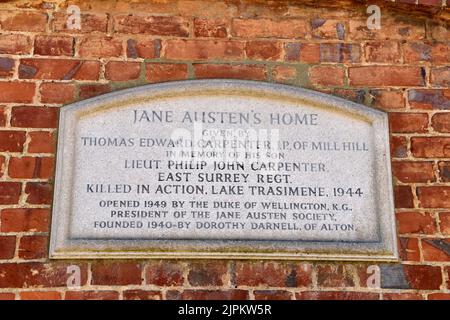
[[23, 21]]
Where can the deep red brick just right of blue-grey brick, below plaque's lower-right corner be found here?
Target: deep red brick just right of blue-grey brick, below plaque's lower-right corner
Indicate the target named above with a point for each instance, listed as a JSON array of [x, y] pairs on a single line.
[[421, 277]]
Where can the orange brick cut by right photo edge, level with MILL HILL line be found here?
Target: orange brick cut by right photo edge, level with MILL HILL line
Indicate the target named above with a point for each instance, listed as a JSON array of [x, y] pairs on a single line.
[[430, 147]]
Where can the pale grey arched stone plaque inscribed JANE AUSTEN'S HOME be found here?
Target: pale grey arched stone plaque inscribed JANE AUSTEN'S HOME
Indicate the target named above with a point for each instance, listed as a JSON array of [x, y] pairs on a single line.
[[222, 169]]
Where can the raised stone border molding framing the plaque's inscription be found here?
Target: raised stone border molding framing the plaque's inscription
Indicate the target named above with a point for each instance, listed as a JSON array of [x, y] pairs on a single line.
[[64, 247]]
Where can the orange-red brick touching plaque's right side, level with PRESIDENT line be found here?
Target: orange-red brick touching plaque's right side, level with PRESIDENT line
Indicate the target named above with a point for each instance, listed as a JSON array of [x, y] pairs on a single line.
[[415, 222]]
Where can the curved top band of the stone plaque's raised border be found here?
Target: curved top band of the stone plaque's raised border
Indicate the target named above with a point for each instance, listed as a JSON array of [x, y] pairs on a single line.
[[224, 87]]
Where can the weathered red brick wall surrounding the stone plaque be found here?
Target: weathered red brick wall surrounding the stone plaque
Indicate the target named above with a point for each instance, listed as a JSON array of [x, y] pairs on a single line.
[[404, 68]]
